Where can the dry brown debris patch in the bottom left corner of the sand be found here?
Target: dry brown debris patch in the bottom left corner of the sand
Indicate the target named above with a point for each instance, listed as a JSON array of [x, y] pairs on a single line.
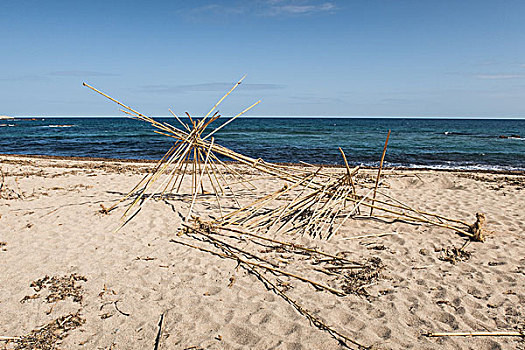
[[49, 336]]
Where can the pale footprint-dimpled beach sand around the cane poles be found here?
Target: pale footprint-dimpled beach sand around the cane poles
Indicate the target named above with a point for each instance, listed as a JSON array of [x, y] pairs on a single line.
[[126, 280]]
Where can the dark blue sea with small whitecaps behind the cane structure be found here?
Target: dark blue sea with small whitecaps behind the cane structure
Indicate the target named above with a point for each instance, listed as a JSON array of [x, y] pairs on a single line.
[[434, 143]]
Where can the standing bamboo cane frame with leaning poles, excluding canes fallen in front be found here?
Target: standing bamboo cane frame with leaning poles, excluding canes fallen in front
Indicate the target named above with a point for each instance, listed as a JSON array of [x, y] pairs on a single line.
[[310, 201]]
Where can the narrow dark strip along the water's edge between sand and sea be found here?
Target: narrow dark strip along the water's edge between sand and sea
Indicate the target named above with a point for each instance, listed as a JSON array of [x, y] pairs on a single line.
[[337, 166]]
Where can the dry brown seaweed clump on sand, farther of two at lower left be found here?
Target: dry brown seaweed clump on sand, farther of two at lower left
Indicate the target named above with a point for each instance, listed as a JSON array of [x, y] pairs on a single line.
[[59, 288]]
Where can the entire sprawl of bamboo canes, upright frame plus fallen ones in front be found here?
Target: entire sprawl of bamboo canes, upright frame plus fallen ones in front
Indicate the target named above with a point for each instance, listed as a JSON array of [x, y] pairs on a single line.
[[309, 201]]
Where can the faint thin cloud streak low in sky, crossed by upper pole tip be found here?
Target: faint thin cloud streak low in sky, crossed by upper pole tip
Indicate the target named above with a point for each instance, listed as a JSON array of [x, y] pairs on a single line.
[[214, 87]]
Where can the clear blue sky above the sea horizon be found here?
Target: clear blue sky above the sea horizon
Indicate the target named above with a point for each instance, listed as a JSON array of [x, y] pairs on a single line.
[[420, 58]]
